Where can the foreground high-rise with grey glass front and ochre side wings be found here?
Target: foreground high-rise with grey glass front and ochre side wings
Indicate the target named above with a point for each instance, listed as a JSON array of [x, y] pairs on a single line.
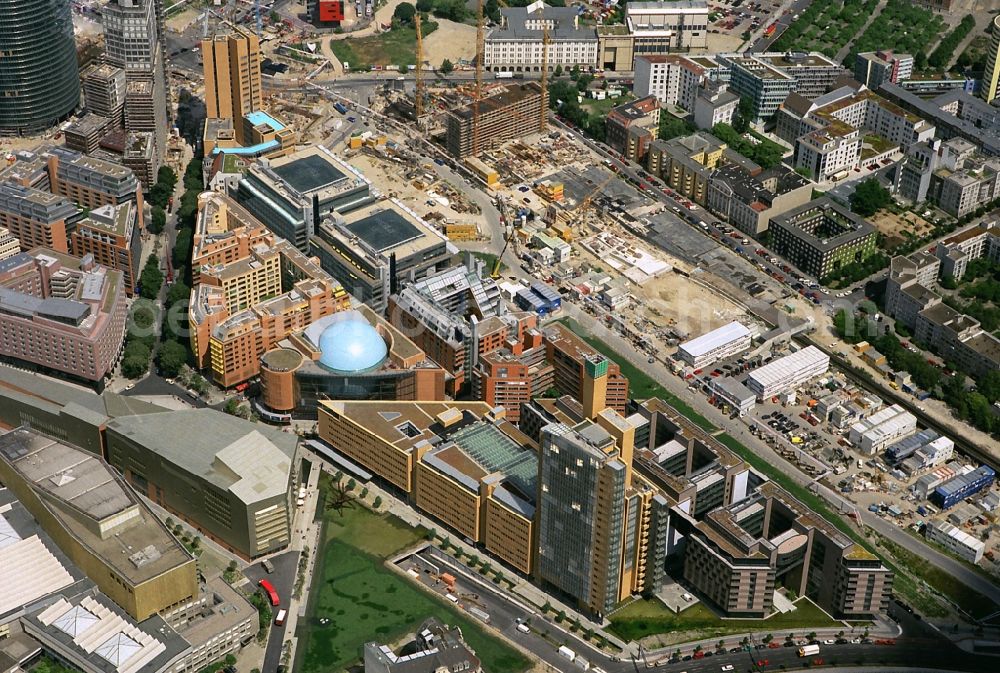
[[601, 532]]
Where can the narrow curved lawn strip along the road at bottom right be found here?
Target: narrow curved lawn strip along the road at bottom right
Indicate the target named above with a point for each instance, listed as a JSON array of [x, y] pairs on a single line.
[[649, 617]]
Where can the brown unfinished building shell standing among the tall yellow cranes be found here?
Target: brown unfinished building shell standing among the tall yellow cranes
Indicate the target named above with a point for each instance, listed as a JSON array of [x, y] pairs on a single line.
[[514, 111]]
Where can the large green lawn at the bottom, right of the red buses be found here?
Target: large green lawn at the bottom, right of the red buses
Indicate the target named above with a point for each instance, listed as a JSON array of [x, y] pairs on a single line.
[[366, 601]]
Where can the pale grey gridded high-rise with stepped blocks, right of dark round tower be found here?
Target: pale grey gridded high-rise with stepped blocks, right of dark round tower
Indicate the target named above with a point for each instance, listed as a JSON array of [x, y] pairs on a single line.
[[133, 42]]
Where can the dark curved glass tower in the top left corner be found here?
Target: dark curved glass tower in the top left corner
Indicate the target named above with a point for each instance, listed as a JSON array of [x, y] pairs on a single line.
[[39, 74]]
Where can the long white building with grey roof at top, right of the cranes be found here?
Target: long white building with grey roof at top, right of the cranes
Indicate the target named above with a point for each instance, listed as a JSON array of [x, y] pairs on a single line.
[[516, 45]]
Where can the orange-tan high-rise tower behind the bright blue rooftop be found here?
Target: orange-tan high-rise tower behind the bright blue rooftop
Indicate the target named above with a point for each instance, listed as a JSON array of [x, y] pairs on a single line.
[[232, 76]]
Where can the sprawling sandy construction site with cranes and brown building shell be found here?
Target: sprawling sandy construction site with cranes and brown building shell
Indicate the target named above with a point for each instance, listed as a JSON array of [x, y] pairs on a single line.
[[483, 147]]
